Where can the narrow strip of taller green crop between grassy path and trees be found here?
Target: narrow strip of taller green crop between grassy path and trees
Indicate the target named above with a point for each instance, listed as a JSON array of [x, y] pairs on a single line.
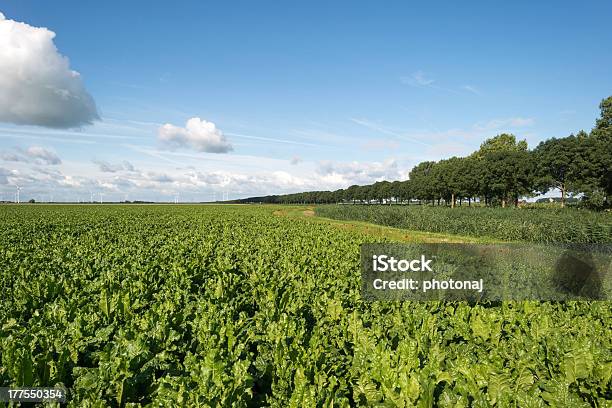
[[524, 224]]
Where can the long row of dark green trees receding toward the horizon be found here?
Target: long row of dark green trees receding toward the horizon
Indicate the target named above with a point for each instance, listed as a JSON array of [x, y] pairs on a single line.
[[501, 172]]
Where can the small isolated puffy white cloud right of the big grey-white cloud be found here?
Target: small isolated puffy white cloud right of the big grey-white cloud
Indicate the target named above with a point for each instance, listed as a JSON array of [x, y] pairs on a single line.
[[197, 134]]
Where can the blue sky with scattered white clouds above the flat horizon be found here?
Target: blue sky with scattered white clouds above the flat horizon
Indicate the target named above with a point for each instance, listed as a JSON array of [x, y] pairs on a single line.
[[197, 101]]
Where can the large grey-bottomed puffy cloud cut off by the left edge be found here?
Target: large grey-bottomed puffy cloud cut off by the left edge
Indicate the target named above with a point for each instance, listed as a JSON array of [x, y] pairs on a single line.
[[37, 86]]
